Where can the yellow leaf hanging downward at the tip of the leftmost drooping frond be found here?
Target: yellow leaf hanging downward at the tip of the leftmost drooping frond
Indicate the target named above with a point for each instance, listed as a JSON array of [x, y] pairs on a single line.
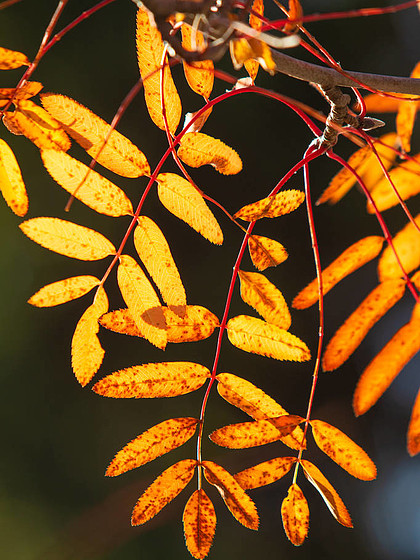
[[86, 351]]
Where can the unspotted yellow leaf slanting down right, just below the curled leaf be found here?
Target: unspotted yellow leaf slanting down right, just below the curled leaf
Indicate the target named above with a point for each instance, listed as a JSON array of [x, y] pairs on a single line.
[[184, 202]]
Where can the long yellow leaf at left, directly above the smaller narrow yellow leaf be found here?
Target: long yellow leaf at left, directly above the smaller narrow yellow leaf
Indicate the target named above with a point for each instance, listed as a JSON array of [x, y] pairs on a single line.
[[66, 238]]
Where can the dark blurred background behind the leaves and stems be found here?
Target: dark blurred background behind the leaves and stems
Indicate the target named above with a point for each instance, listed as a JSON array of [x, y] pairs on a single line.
[[57, 438]]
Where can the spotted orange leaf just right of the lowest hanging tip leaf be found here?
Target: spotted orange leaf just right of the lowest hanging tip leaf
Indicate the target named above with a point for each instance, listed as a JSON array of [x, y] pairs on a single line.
[[236, 499]]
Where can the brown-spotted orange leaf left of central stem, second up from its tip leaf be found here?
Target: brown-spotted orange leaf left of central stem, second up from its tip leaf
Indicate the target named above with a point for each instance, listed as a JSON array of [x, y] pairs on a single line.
[[152, 443]]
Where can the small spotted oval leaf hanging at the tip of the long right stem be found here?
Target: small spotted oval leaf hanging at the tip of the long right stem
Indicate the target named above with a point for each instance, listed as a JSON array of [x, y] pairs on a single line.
[[295, 515]]
